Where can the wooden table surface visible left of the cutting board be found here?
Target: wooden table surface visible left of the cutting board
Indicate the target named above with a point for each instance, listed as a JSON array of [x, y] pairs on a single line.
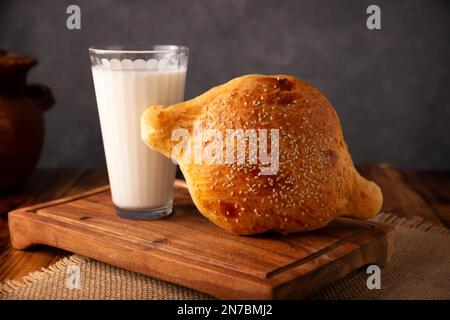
[[44, 185]]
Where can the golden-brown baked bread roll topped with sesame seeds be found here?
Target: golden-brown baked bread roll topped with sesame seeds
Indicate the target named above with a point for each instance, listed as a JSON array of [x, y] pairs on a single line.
[[314, 180]]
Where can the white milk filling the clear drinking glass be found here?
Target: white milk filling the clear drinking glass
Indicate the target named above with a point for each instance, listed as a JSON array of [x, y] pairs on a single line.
[[140, 178]]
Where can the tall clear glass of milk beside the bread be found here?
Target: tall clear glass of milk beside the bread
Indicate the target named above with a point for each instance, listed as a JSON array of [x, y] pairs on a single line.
[[128, 80]]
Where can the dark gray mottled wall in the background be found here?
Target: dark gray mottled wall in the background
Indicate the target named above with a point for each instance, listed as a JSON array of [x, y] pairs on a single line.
[[390, 87]]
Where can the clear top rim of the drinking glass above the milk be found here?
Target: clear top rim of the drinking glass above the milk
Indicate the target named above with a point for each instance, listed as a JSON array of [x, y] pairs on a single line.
[[136, 49]]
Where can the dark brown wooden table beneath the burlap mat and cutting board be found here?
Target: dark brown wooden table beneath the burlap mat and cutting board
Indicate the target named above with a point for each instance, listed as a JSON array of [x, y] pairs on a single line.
[[406, 193]]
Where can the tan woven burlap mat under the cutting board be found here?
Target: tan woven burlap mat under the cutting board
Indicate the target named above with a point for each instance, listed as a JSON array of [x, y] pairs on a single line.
[[420, 269]]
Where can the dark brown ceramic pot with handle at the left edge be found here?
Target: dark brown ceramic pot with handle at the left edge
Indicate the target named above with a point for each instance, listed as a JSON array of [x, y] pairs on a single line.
[[21, 120]]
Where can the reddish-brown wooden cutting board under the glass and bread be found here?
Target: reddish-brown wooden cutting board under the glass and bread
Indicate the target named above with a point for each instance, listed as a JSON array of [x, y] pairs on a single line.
[[185, 248]]
